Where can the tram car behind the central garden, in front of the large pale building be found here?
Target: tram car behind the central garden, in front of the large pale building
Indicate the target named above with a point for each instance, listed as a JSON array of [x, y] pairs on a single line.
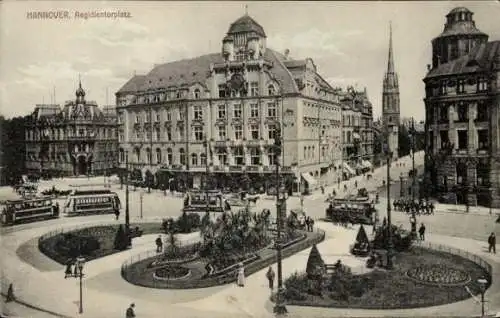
[[196, 201]]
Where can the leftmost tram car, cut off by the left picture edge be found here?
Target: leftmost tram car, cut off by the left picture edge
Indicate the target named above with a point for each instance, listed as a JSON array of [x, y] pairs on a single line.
[[28, 210]]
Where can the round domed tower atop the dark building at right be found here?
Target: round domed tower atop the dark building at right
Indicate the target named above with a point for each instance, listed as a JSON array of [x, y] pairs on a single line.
[[458, 38]]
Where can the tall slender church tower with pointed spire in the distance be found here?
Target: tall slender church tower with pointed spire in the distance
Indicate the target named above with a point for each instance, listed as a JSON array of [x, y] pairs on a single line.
[[390, 103]]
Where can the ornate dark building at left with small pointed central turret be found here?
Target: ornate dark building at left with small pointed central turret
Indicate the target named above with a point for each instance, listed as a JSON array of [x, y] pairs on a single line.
[[79, 139]]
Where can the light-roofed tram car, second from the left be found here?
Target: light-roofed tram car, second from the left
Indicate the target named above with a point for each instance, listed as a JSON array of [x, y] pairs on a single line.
[[87, 202]]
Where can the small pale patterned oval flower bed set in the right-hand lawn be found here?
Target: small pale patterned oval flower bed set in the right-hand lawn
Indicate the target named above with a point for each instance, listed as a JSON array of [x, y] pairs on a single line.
[[439, 275]]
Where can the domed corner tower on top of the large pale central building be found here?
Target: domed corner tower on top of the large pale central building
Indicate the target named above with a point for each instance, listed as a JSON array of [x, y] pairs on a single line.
[[245, 40]]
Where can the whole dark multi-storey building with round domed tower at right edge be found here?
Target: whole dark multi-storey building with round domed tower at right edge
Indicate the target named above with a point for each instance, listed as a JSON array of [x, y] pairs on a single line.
[[462, 113]]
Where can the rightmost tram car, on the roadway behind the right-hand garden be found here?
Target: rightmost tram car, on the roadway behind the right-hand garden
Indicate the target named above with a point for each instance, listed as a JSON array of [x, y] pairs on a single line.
[[354, 211]]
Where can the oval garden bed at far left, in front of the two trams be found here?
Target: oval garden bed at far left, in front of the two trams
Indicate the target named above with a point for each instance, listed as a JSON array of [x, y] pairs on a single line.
[[98, 241]]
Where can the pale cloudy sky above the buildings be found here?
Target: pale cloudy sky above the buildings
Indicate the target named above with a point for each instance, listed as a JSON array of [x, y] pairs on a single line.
[[348, 41]]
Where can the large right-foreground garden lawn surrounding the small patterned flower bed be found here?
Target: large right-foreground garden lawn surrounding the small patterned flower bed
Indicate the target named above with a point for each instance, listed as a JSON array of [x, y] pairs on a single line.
[[393, 289]]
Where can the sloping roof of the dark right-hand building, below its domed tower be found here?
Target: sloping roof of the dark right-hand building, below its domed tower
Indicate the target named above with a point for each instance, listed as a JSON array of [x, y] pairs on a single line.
[[480, 59]]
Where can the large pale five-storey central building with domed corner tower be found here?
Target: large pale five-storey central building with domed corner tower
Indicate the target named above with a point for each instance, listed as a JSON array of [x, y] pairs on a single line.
[[236, 100]]
